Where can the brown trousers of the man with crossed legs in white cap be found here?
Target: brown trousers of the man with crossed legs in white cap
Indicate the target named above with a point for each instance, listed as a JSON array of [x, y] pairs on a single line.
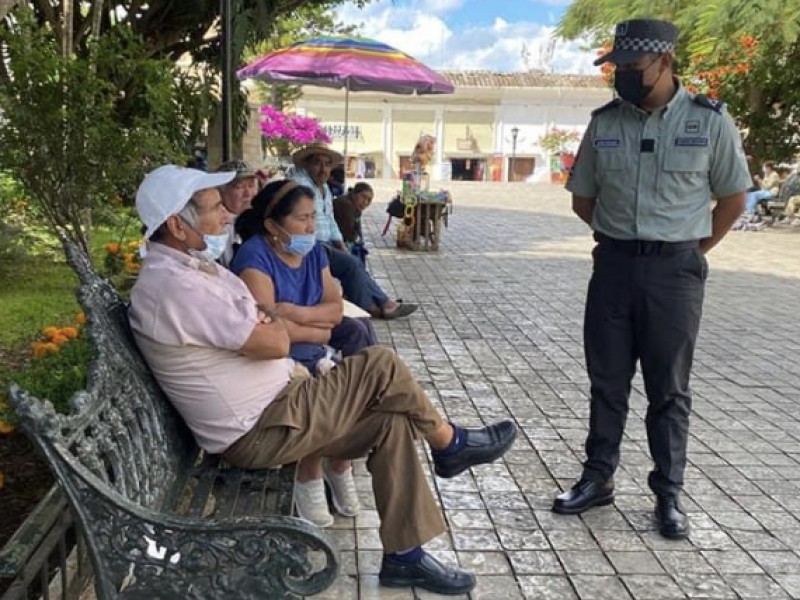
[[368, 405]]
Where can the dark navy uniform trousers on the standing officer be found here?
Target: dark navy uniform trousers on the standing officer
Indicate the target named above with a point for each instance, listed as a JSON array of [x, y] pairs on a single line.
[[644, 303]]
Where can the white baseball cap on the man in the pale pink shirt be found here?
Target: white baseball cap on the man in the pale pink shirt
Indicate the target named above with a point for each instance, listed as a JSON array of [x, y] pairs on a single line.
[[165, 191]]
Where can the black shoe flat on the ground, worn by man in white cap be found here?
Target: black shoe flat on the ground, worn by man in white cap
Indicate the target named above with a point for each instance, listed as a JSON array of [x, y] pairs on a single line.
[[428, 574]]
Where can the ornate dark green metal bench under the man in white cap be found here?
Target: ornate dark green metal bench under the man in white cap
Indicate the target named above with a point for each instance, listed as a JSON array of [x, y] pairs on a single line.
[[162, 519]]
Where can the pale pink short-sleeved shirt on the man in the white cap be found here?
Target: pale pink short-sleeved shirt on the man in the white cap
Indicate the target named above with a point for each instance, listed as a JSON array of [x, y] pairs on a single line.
[[190, 323]]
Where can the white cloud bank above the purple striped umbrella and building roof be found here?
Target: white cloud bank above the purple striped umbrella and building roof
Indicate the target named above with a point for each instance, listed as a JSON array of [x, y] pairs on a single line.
[[421, 30]]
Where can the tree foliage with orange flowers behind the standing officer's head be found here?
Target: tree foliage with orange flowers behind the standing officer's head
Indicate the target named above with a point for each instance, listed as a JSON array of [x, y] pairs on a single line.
[[746, 52]]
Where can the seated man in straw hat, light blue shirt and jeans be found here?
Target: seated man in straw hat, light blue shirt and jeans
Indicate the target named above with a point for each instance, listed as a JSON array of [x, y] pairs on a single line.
[[313, 169]]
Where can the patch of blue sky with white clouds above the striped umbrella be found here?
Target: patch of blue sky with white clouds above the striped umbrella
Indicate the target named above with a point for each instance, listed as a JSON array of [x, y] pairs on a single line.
[[496, 35]]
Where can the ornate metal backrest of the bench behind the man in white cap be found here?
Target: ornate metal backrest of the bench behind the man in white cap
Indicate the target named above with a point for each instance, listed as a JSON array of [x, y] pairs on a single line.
[[122, 437]]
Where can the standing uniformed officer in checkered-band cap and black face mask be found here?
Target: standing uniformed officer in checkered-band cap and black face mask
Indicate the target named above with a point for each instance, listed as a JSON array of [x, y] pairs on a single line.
[[644, 178]]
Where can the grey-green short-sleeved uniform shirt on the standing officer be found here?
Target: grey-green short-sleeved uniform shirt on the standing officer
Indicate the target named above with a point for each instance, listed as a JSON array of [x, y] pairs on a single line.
[[653, 174]]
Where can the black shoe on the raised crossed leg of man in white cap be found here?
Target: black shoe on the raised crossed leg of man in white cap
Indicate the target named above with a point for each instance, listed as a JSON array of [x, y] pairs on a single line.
[[481, 446]]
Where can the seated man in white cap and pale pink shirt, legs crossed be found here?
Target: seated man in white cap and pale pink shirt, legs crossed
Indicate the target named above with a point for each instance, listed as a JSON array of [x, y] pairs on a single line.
[[224, 364]]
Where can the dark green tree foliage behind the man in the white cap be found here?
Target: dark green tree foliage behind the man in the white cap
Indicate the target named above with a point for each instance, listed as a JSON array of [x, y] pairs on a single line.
[[92, 94]]
